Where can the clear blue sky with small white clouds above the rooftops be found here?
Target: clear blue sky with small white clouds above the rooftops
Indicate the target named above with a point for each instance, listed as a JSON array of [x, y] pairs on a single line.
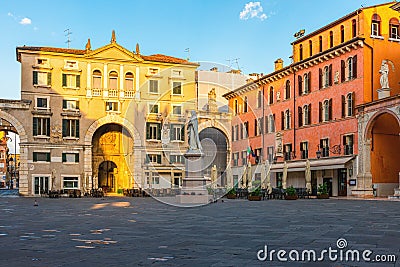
[[255, 33]]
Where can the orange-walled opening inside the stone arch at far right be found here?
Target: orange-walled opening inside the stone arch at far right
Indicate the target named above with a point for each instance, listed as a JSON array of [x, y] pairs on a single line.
[[383, 140]]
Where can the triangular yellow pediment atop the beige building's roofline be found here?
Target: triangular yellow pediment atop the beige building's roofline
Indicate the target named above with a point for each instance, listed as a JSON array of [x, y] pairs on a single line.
[[115, 52]]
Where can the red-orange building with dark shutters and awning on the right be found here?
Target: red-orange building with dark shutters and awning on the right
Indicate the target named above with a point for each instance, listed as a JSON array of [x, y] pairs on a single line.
[[306, 111]]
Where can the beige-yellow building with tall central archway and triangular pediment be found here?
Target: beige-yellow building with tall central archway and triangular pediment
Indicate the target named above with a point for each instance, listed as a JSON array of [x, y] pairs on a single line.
[[105, 117]]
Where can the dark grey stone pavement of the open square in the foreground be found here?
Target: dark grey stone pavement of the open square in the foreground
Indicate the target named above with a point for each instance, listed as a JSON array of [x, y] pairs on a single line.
[[144, 232]]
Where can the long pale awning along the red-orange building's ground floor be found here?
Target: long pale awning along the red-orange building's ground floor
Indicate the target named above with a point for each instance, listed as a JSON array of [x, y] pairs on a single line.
[[315, 164]]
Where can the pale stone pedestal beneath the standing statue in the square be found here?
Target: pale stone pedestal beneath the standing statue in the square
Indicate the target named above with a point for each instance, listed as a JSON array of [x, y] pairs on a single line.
[[194, 188]]
